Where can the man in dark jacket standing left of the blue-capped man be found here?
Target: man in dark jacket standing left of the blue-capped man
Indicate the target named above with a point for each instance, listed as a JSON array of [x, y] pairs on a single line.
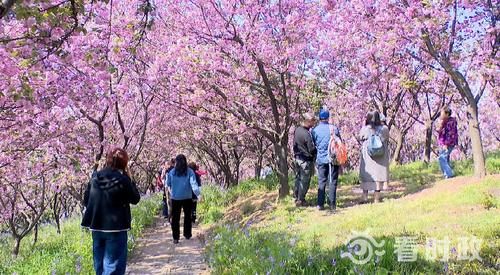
[[304, 152]]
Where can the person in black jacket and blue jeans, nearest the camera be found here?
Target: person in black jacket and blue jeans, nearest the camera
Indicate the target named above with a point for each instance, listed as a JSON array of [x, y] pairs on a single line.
[[107, 200]]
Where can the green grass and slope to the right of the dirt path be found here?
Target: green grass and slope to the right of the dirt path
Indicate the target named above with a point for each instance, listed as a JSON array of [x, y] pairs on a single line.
[[306, 241]]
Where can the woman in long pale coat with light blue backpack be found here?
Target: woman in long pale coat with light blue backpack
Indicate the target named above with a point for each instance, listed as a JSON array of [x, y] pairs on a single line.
[[374, 163]]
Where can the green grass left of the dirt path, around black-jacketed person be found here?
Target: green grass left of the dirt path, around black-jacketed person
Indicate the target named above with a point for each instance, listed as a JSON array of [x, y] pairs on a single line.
[[71, 251]]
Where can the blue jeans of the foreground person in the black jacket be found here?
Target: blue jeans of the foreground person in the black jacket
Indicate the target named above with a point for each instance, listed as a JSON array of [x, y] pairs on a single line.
[[110, 252]]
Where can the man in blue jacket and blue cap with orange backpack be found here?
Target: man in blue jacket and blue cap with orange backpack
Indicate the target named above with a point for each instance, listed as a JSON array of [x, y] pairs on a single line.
[[328, 173]]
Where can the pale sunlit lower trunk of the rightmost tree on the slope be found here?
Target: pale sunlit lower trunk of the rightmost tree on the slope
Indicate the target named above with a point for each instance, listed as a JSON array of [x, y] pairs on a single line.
[[477, 143]]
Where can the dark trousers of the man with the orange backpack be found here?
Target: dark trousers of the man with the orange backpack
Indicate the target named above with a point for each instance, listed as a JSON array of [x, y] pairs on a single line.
[[330, 178]]
